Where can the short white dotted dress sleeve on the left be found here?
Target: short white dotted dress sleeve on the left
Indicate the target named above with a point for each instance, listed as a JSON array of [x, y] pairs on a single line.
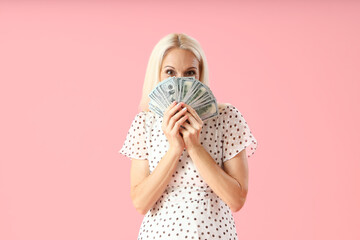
[[135, 142]]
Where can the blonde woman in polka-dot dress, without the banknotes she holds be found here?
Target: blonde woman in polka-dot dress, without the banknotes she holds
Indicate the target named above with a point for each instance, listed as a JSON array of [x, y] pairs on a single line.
[[186, 181]]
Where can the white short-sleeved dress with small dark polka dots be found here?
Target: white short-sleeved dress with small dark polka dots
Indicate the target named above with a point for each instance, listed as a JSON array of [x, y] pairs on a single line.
[[188, 208]]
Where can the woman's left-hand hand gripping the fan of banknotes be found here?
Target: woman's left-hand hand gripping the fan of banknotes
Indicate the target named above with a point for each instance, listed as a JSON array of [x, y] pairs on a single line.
[[173, 118]]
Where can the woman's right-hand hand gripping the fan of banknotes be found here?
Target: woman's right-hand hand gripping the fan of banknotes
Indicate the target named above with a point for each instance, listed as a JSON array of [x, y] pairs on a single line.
[[193, 127]]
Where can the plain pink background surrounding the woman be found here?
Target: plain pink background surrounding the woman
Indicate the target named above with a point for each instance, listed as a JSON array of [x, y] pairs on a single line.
[[71, 77]]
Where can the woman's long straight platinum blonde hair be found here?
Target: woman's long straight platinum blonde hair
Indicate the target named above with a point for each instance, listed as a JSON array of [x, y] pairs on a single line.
[[170, 41]]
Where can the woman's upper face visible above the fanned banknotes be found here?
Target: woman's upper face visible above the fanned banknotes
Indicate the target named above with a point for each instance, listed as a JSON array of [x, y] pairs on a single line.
[[179, 63]]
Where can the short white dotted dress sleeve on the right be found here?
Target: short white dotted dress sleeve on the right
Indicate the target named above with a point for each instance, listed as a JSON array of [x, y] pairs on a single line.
[[236, 134]]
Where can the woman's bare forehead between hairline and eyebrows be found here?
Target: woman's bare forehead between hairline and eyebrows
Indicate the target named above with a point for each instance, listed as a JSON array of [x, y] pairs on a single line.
[[180, 57]]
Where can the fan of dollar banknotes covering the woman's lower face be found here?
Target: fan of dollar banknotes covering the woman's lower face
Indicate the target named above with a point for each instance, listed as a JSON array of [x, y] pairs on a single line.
[[183, 89]]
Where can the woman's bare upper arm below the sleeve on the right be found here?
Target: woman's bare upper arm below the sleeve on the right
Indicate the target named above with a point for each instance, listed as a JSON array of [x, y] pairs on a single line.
[[237, 167]]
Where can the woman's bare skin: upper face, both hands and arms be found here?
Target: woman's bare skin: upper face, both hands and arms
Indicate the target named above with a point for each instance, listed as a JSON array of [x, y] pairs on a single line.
[[230, 183]]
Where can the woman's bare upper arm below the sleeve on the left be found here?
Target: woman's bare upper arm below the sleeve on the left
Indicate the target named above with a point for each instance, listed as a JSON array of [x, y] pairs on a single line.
[[138, 172]]
